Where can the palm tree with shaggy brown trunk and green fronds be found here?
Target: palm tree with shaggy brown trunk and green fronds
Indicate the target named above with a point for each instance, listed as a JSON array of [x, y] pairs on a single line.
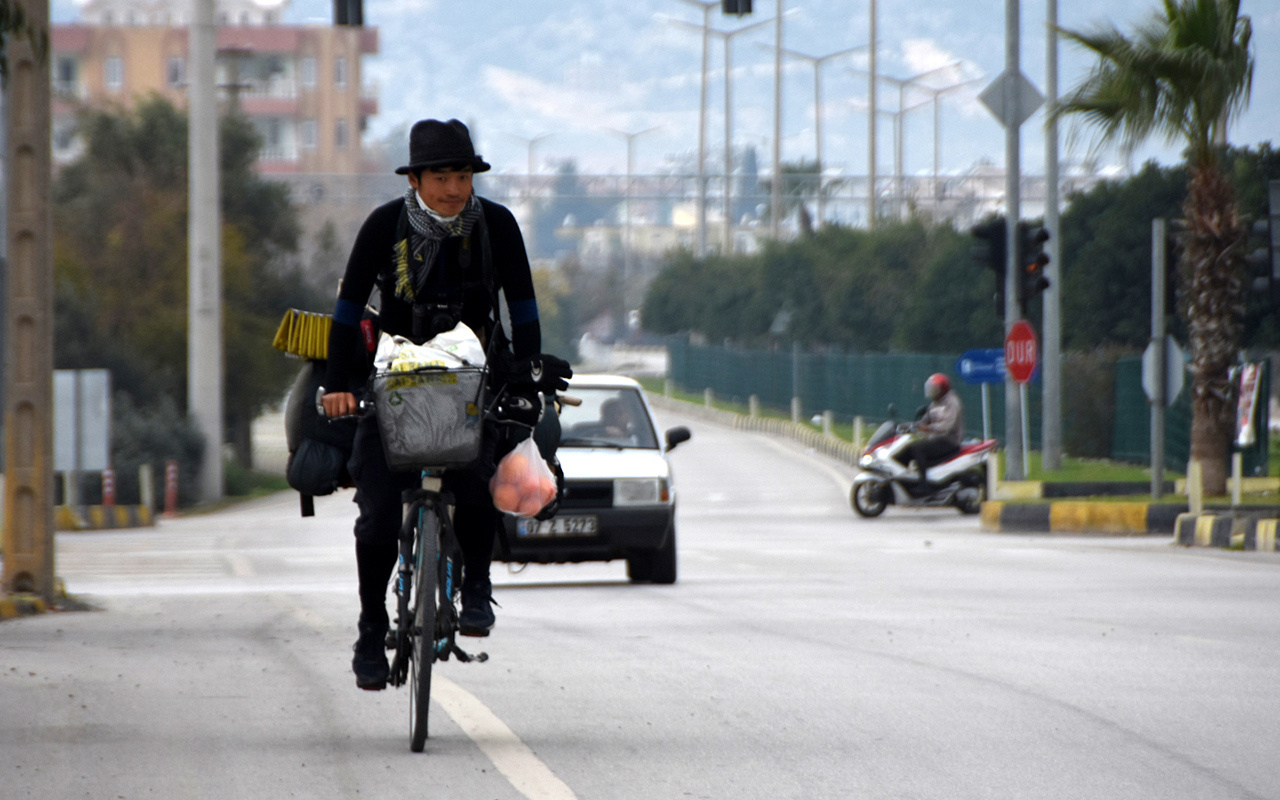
[[1187, 74]]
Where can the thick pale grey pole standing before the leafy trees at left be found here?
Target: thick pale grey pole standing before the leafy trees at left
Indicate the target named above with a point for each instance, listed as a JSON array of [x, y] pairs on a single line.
[[204, 255]]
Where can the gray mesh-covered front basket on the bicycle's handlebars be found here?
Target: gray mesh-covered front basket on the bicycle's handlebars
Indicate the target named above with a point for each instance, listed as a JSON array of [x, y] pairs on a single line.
[[429, 418]]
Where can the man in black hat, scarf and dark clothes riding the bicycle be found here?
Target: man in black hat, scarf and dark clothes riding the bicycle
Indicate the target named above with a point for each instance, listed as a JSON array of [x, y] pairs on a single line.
[[438, 257]]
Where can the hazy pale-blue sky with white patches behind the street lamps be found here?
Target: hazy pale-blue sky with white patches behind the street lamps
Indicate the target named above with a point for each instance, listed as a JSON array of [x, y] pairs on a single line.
[[584, 74]]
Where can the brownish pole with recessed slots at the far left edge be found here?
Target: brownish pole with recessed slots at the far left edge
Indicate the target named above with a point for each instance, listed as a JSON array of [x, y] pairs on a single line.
[[29, 403]]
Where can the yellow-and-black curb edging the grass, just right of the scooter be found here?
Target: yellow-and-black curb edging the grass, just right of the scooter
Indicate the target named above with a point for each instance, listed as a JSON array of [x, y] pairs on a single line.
[[1081, 518]]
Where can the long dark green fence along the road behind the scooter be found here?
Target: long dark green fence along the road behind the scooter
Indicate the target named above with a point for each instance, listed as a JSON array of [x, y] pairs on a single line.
[[866, 385]]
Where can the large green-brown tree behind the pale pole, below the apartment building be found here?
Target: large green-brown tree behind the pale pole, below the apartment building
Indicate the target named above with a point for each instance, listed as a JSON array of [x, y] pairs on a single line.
[[121, 268]]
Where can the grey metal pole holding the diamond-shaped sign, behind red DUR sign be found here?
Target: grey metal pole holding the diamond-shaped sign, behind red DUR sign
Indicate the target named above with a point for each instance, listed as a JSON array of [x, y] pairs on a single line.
[[1014, 463]]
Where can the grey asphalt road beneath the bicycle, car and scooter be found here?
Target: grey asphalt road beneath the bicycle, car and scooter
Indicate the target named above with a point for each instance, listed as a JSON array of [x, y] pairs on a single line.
[[804, 653]]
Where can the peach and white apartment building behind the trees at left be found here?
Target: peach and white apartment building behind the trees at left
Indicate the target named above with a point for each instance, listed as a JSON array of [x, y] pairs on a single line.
[[300, 85]]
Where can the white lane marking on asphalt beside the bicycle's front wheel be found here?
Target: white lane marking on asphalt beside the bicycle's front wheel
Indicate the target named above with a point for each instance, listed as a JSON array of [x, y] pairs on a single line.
[[513, 758]]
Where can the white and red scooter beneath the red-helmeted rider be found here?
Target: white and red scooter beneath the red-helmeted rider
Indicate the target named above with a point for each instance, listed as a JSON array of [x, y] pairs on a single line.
[[961, 481]]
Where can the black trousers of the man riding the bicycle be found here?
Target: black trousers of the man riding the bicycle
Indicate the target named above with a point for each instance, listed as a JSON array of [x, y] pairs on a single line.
[[380, 496]]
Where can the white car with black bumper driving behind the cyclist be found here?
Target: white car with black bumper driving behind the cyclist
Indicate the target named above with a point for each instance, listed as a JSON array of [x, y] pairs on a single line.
[[620, 500]]
